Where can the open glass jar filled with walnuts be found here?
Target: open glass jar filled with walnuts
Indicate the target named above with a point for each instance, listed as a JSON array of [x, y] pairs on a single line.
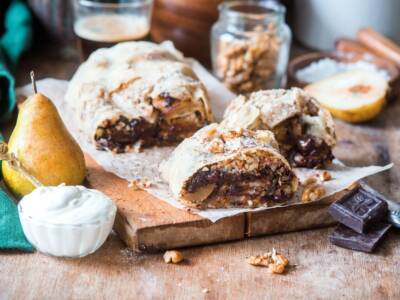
[[250, 45]]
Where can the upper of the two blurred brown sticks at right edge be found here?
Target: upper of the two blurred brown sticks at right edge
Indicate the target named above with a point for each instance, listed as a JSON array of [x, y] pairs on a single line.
[[379, 45]]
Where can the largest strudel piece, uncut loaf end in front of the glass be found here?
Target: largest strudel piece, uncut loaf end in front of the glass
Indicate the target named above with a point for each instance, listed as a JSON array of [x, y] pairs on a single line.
[[137, 94]]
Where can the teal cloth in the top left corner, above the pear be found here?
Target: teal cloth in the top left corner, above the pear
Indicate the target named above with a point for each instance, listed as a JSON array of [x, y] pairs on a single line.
[[16, 39]]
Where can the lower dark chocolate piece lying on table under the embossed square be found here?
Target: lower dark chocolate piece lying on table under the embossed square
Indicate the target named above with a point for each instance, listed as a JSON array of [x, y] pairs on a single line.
[[366, 242]]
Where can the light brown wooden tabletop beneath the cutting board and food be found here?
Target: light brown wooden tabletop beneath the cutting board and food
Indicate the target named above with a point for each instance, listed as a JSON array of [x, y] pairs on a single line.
[[318, 269]]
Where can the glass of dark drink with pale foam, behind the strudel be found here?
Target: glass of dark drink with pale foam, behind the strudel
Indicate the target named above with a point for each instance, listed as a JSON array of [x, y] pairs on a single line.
[[104, 23]]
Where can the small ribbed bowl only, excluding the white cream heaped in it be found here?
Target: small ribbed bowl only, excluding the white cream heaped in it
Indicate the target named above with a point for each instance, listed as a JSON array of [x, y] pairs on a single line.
[[66, 240]]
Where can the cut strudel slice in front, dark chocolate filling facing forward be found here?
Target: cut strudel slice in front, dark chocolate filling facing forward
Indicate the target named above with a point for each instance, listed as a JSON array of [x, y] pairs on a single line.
[[219, 167]]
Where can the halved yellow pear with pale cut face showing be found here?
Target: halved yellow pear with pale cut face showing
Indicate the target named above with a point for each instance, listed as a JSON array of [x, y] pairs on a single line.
[[353, 96]]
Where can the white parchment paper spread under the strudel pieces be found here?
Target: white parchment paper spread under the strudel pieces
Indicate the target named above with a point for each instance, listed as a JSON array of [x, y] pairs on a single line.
[[144, 166]]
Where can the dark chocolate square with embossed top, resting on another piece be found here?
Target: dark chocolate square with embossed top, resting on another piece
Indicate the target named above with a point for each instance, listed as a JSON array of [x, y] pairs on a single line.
[[360, 209]]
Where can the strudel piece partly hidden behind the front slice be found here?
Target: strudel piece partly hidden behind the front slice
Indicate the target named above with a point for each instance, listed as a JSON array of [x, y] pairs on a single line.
[[304, 130]]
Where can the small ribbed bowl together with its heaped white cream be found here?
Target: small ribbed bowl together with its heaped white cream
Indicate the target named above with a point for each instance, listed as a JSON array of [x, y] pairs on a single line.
[[70, 221]]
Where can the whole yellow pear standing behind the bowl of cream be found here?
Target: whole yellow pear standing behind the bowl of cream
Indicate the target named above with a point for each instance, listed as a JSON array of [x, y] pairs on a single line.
[[43, 145]]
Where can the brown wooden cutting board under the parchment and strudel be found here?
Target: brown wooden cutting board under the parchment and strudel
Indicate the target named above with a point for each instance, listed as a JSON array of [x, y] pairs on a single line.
[[146, 223]]
